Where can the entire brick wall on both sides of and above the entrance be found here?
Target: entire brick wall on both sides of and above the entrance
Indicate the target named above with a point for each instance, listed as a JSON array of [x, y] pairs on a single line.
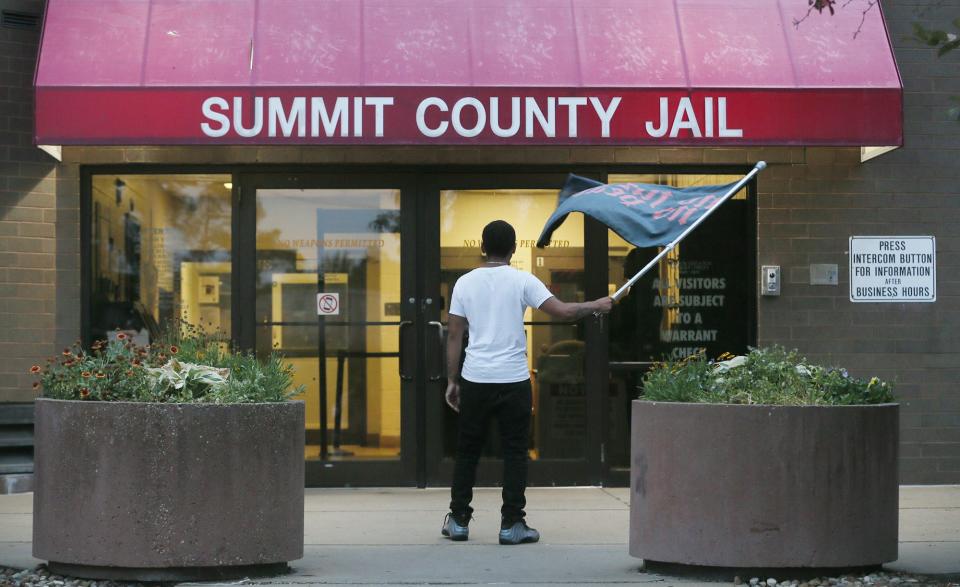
[[811, 201]]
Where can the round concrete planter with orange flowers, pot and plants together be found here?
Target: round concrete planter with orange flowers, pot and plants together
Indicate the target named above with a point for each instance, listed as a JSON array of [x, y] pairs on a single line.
[[194, 419]]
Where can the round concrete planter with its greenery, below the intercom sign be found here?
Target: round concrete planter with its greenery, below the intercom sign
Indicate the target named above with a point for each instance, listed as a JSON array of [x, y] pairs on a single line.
[[761, 461]]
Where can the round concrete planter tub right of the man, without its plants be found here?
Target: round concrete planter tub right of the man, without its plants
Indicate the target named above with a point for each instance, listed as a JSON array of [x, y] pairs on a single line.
[[764, 486]]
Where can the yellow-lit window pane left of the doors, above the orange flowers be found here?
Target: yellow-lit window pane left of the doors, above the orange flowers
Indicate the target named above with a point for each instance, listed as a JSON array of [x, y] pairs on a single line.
[[160, 251]]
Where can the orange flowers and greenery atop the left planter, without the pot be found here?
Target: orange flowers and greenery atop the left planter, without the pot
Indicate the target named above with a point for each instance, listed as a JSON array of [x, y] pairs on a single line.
[[186, 365]]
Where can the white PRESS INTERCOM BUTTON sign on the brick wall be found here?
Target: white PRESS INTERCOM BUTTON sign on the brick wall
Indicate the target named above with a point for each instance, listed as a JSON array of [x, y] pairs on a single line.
[[893, 269]]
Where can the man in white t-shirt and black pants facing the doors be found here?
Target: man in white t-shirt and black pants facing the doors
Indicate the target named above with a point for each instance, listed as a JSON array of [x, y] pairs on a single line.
[[489, 302]]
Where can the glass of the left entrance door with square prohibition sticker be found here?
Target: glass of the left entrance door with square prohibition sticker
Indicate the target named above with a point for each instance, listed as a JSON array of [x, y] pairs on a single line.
[[328, 279]]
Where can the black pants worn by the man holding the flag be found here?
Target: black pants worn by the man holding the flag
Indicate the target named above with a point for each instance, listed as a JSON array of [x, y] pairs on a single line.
[[511, 404]]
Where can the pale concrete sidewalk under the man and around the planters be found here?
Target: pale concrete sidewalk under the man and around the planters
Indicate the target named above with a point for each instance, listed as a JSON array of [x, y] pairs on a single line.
[[391, 537]]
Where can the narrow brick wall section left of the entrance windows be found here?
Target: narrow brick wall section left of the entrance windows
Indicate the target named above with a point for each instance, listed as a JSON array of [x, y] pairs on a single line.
[[39, 228]]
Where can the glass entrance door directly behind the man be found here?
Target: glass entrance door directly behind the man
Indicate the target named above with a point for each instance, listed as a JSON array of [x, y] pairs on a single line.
[[563, 448]]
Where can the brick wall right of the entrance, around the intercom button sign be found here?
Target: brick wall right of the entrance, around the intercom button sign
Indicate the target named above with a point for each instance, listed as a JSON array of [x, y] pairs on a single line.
[[808, 212]]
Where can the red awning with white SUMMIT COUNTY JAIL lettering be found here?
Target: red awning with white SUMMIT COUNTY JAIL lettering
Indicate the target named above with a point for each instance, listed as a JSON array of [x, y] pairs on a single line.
[[620, 72]]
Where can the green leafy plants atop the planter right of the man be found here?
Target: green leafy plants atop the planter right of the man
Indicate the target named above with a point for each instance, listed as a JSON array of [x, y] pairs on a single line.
[[769, 376]]
